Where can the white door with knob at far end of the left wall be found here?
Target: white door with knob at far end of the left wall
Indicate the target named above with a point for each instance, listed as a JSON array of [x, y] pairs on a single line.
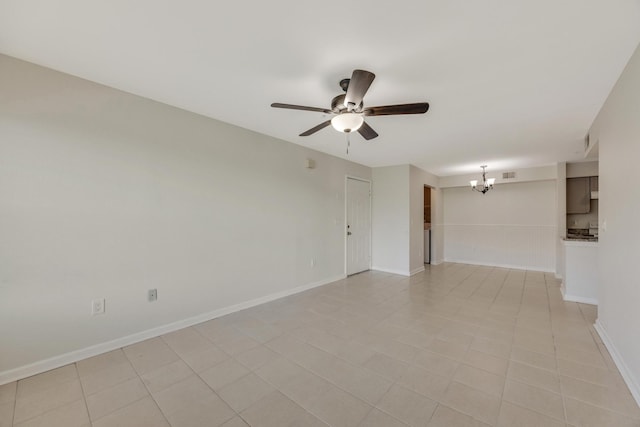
[[358, 226]]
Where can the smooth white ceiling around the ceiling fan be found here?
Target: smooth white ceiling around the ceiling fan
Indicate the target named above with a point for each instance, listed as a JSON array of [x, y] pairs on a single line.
[[511, 83]]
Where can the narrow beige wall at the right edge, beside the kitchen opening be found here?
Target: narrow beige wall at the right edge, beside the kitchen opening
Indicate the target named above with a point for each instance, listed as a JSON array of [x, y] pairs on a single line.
[[617, 128]]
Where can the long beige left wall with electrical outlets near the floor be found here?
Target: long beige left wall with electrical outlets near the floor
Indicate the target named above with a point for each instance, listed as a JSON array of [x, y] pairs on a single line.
[[106, 195]]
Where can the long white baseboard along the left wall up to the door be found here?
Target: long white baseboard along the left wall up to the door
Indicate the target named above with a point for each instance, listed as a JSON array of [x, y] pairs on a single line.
[[94, 350]]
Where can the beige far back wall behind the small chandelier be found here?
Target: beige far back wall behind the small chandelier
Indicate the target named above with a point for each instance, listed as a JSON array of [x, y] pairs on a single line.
[[513, 225]]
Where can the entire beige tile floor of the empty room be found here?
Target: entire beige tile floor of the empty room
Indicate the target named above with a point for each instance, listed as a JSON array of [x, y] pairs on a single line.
[[457, 345]]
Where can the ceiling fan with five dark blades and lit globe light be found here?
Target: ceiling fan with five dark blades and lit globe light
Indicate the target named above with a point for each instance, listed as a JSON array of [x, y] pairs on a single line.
[[349, 111]]
